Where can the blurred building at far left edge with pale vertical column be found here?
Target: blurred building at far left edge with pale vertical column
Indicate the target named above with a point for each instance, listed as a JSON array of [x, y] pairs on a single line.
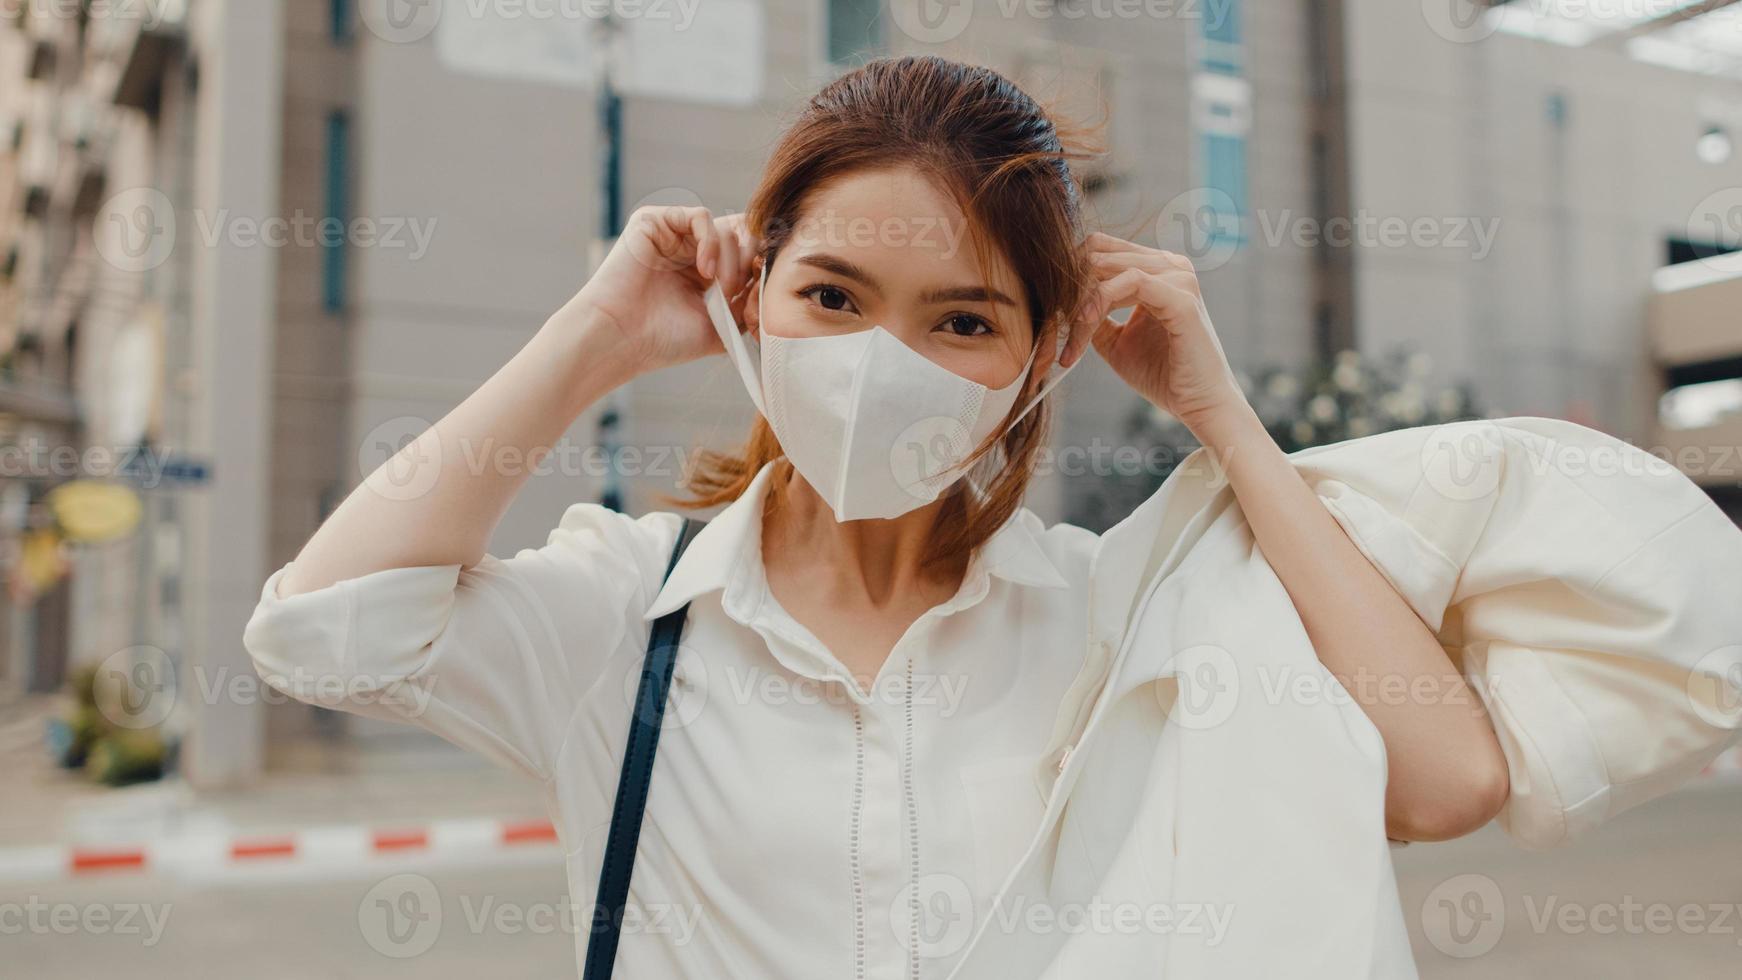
[[137, 340]]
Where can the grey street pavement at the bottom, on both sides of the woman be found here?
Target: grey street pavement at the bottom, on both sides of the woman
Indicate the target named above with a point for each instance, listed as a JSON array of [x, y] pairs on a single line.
[[1644, 897]]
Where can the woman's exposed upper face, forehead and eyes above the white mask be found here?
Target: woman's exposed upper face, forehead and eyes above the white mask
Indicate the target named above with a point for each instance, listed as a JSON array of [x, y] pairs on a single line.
[[891, 250]]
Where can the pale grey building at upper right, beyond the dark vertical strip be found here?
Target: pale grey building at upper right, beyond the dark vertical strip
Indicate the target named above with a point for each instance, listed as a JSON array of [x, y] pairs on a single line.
[[1593, 138]]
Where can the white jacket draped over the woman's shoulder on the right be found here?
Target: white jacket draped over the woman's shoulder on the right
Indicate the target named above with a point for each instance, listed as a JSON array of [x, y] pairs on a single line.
[[1588, 591]]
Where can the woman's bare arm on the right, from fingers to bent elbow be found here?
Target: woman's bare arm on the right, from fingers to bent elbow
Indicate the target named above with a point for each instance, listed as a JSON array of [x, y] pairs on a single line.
[[1447, 774]]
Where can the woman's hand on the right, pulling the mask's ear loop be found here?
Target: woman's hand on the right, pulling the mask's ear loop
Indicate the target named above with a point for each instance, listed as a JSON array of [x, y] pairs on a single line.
[[1168, 349]]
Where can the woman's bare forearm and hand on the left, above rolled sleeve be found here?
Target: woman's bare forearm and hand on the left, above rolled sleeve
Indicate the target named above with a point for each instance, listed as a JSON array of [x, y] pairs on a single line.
[[438, 500]]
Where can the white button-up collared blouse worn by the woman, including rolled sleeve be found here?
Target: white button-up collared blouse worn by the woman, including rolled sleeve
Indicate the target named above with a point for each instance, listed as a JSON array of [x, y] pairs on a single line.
[[797, 826]]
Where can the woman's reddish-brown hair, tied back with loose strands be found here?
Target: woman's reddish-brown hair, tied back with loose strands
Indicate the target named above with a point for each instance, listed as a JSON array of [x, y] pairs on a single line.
[[1003, 159]]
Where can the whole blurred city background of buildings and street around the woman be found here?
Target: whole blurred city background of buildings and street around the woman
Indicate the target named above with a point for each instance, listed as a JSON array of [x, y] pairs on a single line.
[[248, 248]]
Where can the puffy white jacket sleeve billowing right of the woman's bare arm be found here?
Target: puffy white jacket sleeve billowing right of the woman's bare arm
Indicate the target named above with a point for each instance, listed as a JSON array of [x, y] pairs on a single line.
[[1586, 589]]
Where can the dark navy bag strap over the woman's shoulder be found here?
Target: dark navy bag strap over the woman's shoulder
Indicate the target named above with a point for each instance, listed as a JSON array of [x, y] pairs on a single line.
[[645, 720]]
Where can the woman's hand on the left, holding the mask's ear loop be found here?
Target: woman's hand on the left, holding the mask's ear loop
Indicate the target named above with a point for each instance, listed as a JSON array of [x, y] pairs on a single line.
[[649, 290]]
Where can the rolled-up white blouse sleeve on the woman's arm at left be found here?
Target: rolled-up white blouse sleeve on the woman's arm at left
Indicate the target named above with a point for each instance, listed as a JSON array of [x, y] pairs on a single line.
[[490, 657]]
